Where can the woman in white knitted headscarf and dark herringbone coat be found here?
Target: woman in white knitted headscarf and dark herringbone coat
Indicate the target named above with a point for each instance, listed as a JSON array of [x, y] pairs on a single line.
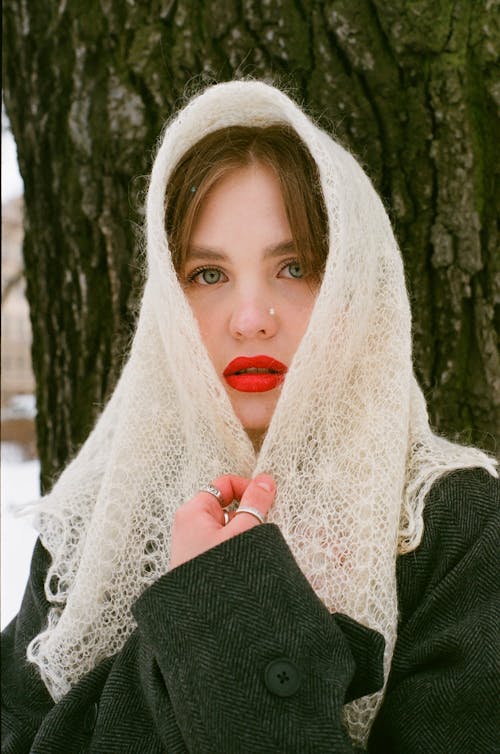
[[271, 366]]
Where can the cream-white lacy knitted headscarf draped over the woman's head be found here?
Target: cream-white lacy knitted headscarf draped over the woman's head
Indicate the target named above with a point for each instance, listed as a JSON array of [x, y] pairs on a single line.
[[349, 443]]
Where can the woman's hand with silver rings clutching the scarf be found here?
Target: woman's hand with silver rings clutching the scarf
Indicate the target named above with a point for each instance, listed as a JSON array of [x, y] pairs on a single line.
[[199, 523]]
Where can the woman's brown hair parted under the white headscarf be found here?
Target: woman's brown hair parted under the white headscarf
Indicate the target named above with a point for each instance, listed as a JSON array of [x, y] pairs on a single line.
[[222, 151]]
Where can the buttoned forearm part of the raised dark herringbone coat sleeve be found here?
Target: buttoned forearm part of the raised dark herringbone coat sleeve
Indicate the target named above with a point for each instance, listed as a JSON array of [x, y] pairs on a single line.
[[251, 658]]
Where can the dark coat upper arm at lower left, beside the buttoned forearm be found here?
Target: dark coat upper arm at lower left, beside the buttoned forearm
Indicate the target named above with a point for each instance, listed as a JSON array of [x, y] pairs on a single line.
[[107, 711]]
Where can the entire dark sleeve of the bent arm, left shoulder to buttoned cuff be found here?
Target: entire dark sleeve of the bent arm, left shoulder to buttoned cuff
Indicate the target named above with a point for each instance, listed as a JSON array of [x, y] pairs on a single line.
[[233, 653]]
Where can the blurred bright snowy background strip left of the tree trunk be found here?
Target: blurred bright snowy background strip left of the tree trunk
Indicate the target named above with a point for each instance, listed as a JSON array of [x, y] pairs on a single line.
[[20, 468]]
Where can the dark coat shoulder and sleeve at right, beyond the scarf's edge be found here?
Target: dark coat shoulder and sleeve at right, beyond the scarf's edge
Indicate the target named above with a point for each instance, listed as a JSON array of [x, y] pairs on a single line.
[[443, 690]]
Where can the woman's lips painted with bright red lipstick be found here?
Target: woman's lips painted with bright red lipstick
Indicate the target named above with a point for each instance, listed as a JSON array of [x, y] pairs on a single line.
[[254, 374]]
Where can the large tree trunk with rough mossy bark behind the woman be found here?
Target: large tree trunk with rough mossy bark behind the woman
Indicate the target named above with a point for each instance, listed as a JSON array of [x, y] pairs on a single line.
[[409, 88]]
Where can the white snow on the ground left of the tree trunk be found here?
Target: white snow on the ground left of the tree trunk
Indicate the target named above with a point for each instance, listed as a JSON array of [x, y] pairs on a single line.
[[20, 483]]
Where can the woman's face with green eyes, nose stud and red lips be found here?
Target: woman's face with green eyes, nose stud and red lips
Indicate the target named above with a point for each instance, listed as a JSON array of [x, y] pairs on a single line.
[[245, 286]]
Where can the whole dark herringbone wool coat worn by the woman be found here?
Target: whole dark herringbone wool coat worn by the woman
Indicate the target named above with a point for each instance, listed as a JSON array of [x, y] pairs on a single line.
[[192, 677]]
